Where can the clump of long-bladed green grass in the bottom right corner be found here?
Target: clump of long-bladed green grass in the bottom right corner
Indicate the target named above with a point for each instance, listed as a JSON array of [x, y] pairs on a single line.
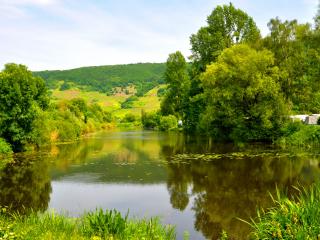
[[297, 218]]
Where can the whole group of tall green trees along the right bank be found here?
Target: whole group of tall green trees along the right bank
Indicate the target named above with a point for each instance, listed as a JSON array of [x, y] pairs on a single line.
[[241, 87]]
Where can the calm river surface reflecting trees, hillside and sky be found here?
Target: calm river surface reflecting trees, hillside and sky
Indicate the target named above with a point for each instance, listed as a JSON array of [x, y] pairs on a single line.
[[192, 183]]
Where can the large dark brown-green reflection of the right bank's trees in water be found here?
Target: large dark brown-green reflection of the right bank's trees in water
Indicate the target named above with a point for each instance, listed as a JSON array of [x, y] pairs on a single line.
[[228, 188]]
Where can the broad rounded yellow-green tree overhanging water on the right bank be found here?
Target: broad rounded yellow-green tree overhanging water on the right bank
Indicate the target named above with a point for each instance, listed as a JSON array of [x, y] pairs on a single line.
[[243, 95]]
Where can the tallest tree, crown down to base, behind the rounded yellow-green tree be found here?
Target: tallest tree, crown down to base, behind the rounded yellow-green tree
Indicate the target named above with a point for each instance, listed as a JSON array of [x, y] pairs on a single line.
[[226, 27]]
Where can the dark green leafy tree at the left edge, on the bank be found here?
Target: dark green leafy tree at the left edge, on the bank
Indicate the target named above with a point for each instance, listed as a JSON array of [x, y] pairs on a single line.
[[22, 96]]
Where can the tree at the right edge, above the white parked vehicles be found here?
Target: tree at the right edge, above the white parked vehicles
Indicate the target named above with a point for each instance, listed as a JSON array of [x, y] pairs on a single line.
[[295, 48]]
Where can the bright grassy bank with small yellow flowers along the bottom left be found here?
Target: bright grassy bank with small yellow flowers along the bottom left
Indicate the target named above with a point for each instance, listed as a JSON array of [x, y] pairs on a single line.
[[97, 225]]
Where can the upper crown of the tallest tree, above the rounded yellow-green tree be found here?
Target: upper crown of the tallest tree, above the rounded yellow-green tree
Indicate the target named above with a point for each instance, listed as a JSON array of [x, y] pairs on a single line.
[[227, 26]]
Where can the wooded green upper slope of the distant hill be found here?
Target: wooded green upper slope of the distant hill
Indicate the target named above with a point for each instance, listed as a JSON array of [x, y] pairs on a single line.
[[143, 76]]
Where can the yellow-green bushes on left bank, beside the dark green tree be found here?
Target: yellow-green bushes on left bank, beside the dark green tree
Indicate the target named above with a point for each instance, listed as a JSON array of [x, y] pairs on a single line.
[[68, 121]]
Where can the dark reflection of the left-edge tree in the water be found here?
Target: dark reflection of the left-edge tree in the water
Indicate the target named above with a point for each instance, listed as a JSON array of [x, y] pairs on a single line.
[[25, 184]]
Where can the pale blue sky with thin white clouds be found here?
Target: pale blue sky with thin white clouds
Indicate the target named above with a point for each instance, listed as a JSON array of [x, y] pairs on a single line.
[[64, 34]]
